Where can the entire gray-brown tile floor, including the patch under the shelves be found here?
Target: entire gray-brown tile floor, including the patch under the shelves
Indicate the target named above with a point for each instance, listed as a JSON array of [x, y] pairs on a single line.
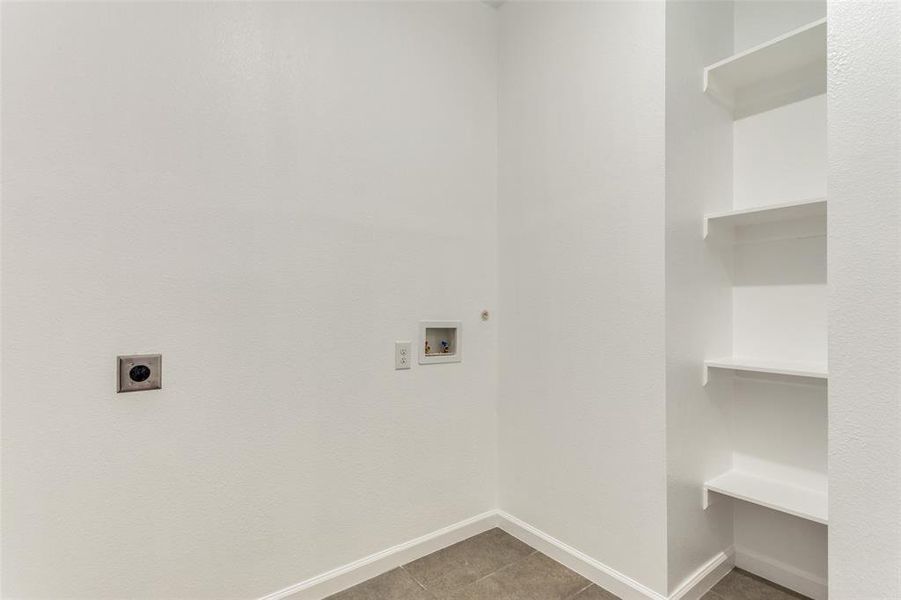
[[494, 565]]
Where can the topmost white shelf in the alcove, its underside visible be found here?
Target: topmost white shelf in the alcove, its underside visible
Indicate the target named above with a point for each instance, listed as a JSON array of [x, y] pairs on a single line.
[[787, 69]]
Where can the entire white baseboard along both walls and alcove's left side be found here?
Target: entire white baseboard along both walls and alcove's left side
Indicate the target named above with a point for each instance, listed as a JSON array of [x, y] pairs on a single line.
[[349, 575]]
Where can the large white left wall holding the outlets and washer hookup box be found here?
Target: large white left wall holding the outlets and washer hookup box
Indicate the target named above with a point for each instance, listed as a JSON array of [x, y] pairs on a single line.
[[269, 195]]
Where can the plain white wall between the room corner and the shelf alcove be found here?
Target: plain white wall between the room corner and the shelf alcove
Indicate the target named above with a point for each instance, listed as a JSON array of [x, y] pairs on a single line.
[[582, 415]]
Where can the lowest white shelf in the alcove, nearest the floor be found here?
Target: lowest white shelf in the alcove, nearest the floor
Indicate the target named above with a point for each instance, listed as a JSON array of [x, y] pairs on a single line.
[[778, 495]]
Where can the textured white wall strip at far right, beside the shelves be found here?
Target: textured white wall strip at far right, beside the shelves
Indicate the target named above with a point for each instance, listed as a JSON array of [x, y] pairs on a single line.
[[865, 302]]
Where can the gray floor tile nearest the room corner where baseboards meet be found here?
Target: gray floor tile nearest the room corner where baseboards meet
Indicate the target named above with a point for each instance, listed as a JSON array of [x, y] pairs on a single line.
[[465, 562]]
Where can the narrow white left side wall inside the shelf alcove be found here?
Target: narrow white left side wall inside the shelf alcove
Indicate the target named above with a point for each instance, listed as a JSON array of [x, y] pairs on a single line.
[[698, 285]]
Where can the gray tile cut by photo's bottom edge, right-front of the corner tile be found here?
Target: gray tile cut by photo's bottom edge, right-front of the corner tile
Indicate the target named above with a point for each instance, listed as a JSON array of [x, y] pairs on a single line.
[[536, 577]]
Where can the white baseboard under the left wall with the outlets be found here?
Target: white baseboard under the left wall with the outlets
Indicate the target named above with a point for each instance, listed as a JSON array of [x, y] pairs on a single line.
[[351, 574]]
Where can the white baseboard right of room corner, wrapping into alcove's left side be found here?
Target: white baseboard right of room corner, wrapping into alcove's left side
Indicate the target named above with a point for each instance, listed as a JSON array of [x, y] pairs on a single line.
[[608, 578]]
